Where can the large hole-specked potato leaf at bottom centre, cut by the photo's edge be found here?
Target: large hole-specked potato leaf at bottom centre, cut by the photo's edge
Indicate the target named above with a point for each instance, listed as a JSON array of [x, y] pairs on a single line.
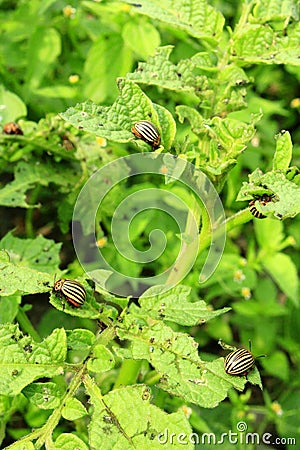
[[112, 427]]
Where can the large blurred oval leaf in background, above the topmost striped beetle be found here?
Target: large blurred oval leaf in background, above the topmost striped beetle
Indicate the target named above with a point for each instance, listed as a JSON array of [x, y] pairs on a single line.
[[100, 73]]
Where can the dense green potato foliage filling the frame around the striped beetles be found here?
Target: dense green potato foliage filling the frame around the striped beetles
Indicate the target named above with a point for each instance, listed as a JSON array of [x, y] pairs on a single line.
[[221, 82]]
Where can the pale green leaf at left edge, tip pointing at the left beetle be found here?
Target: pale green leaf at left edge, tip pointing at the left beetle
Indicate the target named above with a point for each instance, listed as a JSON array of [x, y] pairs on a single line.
[[16, 278]]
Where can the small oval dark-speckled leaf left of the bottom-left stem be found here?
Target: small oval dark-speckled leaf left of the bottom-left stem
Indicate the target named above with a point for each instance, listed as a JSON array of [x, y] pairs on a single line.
[[43, 395]]
